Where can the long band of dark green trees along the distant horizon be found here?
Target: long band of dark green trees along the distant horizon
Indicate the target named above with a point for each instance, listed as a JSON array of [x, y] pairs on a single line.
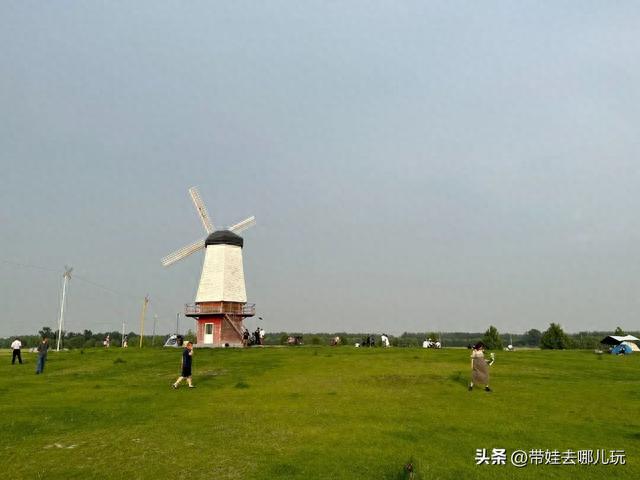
[[552, 338]]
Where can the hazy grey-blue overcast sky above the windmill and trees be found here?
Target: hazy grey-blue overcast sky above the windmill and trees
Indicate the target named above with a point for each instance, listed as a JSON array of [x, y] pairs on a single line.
[[413, 166]]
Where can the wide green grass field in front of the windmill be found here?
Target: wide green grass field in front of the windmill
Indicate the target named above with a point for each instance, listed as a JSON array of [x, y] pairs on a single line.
[[307, 413]]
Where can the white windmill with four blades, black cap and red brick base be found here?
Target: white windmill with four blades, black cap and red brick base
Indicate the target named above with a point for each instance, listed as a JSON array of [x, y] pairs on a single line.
[[221, 300]]
